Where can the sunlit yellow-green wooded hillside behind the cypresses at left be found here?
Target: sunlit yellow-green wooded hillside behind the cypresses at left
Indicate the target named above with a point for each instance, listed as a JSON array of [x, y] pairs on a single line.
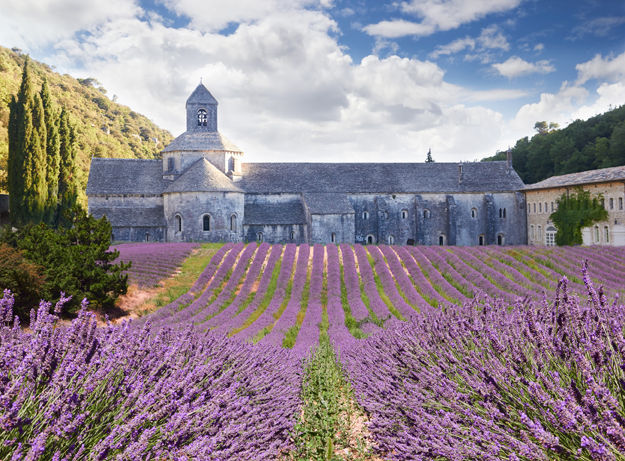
[[103, 127]]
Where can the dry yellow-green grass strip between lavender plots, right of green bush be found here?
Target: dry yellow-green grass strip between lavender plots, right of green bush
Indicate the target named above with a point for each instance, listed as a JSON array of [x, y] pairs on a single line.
[[174, 287]]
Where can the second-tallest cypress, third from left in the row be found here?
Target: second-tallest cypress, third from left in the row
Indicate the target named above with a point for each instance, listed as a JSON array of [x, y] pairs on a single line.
[[53, 156]]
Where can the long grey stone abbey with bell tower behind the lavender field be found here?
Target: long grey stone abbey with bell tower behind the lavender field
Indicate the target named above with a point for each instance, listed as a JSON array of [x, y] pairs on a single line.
[[202, 190]]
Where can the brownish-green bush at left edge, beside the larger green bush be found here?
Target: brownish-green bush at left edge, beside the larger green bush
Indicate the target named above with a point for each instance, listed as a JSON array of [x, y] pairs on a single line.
[[23, 278]]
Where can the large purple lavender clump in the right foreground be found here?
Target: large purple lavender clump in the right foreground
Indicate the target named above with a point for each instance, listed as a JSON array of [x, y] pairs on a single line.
[[531, 380]]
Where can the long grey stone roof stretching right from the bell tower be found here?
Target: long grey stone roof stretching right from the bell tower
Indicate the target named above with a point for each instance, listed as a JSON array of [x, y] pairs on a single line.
[[379, 177]]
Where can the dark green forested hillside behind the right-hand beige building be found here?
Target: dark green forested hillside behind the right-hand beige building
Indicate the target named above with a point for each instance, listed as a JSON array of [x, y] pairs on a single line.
[[598, 142]]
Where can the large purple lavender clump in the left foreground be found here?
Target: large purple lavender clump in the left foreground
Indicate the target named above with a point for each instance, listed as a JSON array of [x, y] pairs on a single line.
[[121, 392]]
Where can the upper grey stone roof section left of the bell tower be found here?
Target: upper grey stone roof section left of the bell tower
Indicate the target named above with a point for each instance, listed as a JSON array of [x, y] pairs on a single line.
[[116, 176]]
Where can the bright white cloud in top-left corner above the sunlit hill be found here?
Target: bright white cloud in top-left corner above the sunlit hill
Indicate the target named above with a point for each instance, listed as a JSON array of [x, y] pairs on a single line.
[[35, 23]]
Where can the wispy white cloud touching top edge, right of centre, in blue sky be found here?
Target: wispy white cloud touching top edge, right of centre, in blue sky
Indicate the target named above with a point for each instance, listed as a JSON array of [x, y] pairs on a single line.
[[438, 15]]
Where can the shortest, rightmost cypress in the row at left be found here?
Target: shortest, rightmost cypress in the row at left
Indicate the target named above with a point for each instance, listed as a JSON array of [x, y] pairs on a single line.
[[68, 187]]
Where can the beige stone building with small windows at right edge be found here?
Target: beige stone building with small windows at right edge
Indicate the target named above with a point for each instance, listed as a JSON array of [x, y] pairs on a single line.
[[542, 201]]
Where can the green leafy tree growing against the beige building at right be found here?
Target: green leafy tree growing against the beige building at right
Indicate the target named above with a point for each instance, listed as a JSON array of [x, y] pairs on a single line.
[[575, 211]]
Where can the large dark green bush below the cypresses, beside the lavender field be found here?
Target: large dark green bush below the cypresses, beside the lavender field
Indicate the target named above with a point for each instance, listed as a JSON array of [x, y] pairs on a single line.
[[76, 261]]
